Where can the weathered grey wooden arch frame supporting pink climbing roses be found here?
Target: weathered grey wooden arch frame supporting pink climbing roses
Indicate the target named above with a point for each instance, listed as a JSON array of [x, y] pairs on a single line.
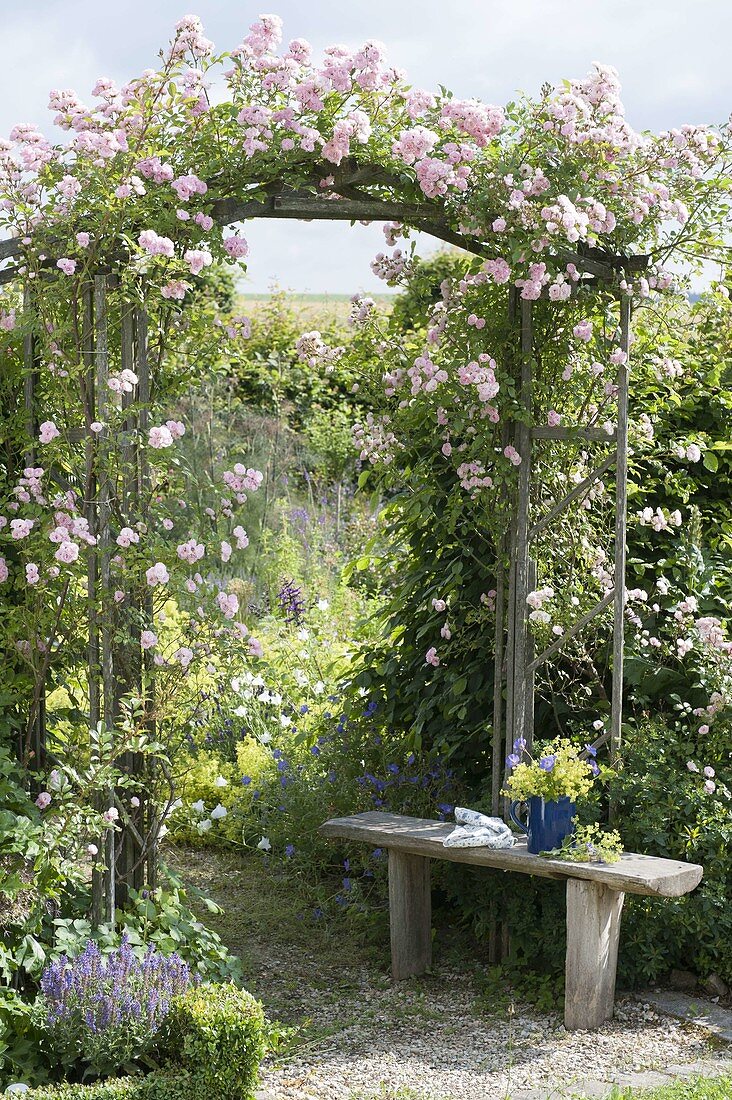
[[115, 331]]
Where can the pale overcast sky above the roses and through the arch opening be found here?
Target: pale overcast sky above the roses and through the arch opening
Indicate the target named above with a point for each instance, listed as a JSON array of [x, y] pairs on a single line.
[[673, 58]]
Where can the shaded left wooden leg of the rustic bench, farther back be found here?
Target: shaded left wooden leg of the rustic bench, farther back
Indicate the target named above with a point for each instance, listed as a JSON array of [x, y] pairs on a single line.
[[410, 915]]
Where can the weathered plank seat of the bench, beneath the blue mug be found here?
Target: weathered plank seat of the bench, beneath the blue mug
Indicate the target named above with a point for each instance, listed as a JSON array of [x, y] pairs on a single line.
[[635, 874]]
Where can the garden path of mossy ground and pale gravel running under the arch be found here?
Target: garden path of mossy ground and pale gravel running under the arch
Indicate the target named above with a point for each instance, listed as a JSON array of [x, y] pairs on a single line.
[[440, 1038]]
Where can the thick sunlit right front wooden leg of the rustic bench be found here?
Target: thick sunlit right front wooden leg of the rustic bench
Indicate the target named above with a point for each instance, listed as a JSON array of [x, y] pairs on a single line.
[[594, 915]]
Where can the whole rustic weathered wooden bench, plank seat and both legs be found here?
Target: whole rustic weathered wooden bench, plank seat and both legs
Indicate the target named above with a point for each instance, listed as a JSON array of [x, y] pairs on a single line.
[[595, 900]]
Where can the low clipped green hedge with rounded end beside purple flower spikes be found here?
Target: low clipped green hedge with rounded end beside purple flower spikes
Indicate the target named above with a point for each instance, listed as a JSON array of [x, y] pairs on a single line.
[[213, 1041]]
